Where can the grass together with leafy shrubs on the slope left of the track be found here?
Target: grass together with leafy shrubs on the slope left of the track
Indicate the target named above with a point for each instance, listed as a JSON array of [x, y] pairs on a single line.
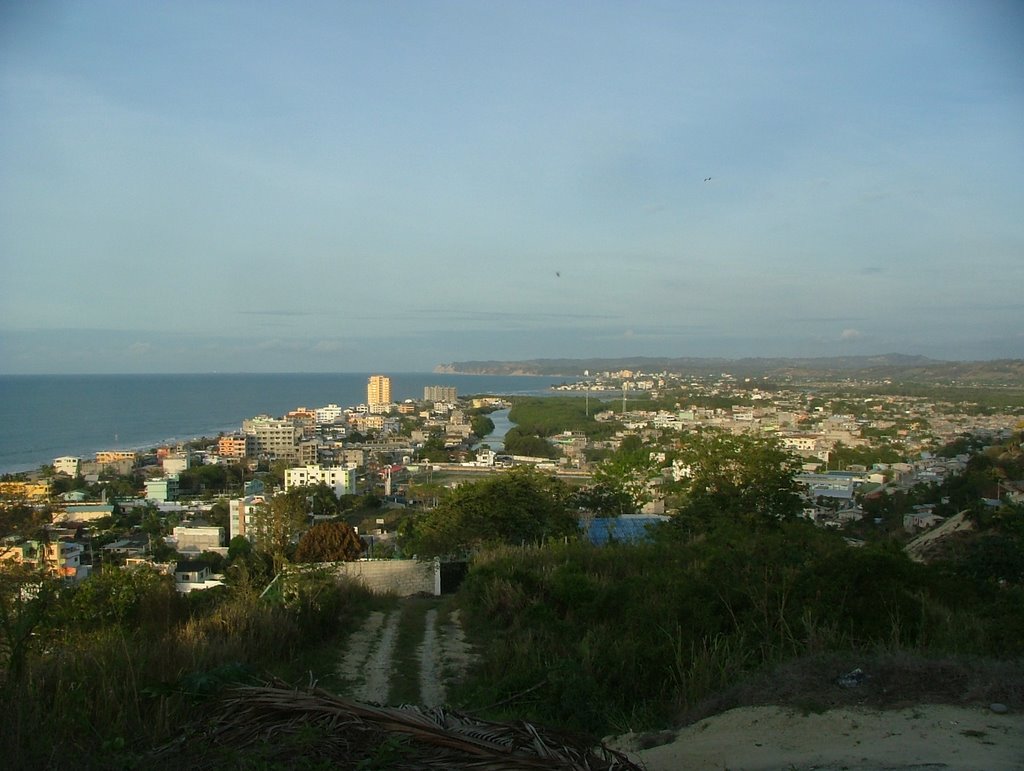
[[101, 675]]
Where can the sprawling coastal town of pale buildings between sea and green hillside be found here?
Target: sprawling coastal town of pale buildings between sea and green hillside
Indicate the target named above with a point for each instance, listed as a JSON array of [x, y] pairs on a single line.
[[191, 502]]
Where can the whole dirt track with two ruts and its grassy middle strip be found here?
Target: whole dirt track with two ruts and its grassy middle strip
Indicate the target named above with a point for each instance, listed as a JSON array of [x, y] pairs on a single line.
[[378, 667]]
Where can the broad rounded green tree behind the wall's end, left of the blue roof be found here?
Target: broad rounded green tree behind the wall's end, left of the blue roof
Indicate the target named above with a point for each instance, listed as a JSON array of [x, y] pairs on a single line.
[[522, 506]]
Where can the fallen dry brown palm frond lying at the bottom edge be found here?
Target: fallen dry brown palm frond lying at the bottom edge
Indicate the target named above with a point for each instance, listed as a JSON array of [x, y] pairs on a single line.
[[271, 725]]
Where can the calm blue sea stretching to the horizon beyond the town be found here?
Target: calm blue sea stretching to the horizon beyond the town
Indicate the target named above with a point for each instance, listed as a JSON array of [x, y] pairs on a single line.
[[44, 417]]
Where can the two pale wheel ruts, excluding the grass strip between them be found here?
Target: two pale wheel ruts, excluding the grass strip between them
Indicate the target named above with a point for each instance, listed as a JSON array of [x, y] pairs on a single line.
[[370, 663]]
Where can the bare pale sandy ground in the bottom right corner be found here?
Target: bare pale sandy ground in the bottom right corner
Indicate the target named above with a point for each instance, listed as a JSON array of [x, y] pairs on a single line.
[[928, 737]]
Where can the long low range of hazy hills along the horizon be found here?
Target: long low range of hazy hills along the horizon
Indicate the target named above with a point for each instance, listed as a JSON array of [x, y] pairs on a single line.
[[897, 367]]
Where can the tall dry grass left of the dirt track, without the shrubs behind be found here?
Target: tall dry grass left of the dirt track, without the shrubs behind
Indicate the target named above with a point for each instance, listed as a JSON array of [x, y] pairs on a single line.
[[121, 688]]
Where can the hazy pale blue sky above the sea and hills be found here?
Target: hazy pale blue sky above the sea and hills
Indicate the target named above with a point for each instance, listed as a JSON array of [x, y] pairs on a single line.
[[347, 187]]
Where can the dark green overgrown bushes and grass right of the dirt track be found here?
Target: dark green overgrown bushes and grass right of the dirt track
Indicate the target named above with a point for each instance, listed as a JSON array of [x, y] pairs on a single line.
[[627, 637]]
